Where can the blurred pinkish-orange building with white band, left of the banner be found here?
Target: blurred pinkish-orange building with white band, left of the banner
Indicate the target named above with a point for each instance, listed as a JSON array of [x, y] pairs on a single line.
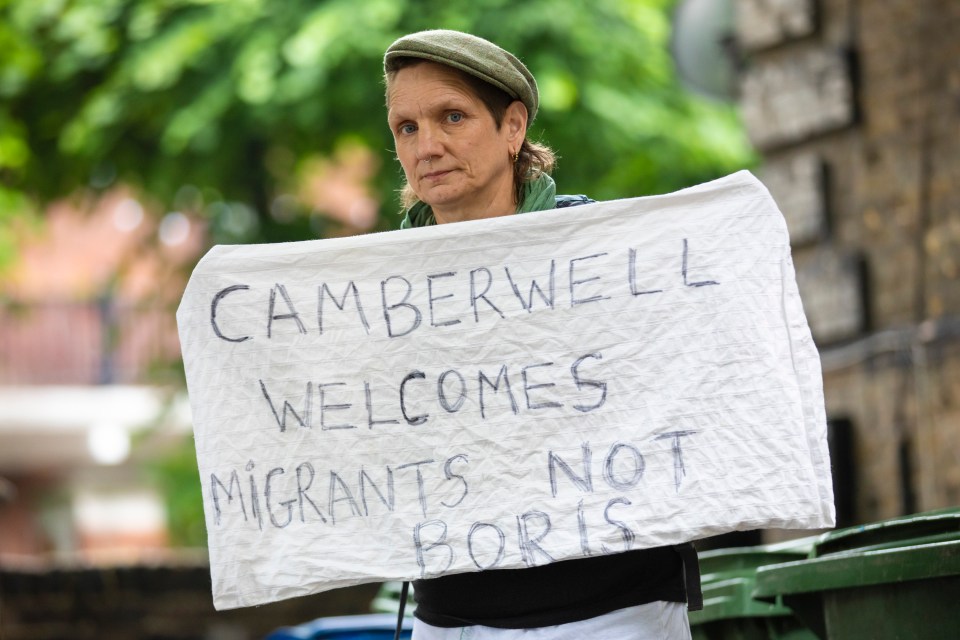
[[86, 331]]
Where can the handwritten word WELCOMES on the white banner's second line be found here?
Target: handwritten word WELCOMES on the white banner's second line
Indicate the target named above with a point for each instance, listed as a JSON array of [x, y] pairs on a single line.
[[534, 387]]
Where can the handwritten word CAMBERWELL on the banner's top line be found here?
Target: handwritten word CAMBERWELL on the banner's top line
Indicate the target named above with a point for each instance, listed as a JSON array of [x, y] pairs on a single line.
[[440, 299]]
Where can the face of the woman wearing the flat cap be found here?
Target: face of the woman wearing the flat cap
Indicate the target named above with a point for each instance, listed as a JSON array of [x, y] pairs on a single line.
[[452, 153]]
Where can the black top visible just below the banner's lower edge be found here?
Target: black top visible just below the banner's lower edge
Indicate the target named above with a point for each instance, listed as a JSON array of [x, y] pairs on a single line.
[[552, 594]]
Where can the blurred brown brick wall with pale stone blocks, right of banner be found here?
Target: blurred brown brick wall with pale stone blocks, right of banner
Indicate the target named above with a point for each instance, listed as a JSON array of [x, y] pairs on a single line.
[[855, 108]]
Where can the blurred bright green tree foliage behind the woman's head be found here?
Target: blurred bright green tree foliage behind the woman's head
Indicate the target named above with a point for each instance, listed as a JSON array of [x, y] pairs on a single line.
[[206, 102]]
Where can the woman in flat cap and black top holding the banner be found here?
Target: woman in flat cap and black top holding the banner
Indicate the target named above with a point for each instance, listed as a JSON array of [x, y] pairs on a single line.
[[459, 108]]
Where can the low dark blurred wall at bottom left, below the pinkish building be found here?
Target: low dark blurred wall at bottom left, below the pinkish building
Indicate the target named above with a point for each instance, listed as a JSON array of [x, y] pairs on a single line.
[[170, 601]]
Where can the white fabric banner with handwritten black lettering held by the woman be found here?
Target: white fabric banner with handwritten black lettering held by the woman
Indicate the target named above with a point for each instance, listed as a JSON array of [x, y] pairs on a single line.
[[502, 393]]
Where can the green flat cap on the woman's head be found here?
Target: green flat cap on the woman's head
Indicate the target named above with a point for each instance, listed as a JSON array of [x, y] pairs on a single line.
[[476, 56]]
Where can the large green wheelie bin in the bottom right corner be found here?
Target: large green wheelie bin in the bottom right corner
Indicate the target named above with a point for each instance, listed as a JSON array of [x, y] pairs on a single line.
[[894, 579]]
